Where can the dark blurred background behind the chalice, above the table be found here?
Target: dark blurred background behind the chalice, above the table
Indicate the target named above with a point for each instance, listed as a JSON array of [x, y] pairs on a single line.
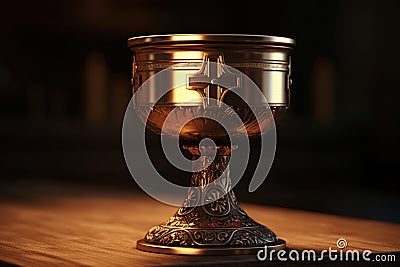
[[65, 83]]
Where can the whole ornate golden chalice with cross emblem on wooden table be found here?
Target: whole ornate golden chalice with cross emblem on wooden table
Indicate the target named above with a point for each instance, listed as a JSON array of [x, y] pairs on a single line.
[[209, 95]]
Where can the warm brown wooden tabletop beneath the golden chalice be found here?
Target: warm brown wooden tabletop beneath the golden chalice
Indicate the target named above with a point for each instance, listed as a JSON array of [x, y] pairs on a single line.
[[100, 228]]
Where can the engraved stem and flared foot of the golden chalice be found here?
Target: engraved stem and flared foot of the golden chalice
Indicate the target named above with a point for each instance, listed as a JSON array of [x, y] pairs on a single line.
[[211, 220]]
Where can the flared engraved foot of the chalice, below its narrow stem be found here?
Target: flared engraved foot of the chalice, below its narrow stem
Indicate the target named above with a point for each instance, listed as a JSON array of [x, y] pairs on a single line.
[[197, 232]]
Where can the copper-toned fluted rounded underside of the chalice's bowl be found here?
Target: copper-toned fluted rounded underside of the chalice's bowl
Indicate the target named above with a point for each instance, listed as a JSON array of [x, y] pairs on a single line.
[[190, 124]]
